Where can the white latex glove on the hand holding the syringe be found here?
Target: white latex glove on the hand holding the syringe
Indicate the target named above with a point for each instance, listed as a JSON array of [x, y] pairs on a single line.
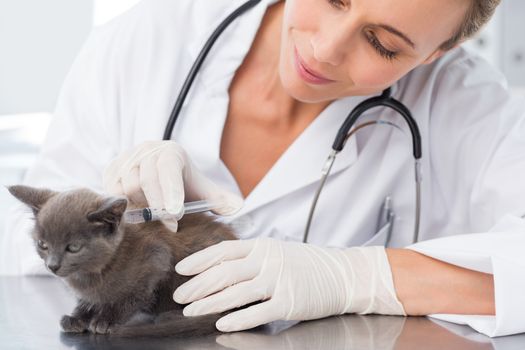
[[160, 174]]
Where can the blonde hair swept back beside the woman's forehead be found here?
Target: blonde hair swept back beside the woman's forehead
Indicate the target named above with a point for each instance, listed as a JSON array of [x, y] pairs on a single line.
[[477, 16]]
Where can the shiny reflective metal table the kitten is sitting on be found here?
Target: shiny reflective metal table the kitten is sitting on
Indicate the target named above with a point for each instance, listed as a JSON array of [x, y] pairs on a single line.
[[31, 307]]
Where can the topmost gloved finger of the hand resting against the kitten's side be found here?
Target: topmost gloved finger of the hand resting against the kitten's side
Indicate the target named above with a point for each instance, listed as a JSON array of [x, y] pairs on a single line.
[[213, 255]]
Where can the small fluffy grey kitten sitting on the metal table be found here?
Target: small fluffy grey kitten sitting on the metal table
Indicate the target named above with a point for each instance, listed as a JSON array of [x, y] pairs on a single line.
[[124, 274]]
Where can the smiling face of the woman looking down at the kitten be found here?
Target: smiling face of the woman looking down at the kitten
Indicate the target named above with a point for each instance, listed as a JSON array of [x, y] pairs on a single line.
[[336, 48]]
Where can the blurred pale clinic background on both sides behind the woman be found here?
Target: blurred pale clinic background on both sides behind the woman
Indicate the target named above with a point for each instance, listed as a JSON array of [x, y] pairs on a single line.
[[40, 38]]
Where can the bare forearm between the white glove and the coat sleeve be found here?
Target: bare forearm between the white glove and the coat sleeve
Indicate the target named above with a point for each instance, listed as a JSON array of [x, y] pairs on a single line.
[[428, 286]]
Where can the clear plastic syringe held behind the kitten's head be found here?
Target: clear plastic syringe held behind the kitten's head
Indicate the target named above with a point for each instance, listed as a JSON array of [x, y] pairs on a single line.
[[138, 216]]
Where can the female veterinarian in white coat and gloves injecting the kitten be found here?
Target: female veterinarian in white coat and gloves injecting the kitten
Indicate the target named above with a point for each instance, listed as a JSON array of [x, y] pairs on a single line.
[[256, 128]]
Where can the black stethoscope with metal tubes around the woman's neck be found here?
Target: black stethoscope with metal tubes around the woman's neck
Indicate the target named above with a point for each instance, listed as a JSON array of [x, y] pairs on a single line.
[[345, 131]]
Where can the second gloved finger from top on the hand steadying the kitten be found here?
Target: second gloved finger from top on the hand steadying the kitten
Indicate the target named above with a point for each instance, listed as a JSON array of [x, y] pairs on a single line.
[[213, 280]]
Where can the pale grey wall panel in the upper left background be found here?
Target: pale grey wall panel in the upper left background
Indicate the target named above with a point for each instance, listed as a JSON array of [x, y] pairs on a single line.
[[38, 41]]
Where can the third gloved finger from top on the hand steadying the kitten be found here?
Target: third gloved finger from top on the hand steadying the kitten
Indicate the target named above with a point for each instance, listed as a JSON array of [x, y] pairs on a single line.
[[235, 296]]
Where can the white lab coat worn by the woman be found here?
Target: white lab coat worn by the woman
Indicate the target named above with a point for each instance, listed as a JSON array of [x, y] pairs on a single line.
[[122, 87]]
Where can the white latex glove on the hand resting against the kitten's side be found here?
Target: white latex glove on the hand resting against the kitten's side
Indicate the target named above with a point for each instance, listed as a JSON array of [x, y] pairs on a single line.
[[297, 281]]
